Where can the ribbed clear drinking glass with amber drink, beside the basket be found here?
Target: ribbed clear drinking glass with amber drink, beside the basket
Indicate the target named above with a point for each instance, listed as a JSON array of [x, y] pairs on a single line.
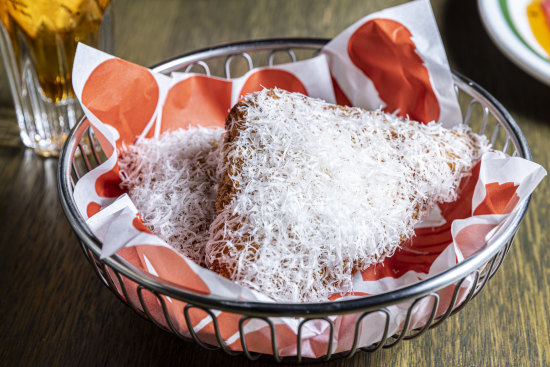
[[38, 41]]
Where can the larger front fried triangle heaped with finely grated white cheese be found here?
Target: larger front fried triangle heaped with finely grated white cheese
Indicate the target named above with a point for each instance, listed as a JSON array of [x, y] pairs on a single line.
[[323, 192]]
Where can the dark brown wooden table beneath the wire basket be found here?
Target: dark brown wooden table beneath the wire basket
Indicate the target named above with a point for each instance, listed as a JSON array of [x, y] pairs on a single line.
[[54, 311]]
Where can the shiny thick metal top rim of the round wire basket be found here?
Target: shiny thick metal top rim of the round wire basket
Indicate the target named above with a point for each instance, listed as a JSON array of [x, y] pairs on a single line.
[[361, 304]]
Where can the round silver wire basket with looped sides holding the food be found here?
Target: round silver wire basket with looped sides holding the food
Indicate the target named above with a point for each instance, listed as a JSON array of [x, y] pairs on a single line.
[[481, 111]]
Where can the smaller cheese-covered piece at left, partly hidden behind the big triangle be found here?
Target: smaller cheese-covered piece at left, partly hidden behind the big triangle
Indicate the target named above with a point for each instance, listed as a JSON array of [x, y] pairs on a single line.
[[172, 181]]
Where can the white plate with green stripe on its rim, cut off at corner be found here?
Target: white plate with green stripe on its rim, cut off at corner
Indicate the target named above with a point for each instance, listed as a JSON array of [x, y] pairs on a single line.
[[507, 24]]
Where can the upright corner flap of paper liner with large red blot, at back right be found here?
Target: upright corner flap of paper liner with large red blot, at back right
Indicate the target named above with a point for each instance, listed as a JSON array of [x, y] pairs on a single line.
[[395, 58]]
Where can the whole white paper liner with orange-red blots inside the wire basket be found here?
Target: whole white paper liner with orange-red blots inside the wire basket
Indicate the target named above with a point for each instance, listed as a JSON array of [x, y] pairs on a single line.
[[400, 46]]
